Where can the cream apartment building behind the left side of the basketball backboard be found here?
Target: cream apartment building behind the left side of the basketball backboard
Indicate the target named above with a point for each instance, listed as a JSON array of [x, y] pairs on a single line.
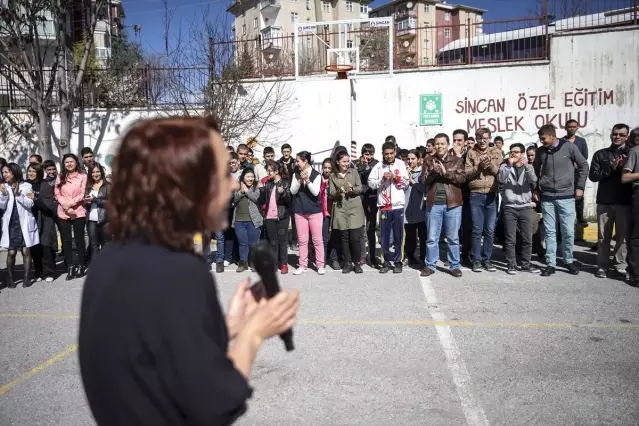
[[268, 26]]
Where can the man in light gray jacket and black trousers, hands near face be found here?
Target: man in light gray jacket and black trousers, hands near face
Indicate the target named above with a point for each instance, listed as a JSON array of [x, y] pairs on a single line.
[[517, 181]]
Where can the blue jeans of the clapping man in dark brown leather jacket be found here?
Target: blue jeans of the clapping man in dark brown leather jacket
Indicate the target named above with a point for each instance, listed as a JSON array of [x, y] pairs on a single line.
[[438, 216]]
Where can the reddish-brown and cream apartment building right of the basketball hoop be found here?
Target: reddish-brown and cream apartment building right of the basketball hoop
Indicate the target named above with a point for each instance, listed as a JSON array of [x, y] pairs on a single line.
[[423, 27]]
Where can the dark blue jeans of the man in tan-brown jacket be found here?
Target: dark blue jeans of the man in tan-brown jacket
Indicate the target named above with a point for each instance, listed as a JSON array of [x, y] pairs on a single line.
[[484, 211]]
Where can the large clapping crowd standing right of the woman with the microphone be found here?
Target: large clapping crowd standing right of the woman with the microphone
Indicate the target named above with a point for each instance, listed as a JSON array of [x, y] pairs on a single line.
[[467, 195]]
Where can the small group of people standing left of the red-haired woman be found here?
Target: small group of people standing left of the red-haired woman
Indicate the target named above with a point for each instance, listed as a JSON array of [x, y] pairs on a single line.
[[69, 202]]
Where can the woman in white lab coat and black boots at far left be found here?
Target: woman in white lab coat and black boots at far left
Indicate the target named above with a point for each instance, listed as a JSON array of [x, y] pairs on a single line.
[[19, 228]]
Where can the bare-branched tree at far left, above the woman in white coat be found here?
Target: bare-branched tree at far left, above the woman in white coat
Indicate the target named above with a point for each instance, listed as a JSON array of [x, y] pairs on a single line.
[[37, 63]]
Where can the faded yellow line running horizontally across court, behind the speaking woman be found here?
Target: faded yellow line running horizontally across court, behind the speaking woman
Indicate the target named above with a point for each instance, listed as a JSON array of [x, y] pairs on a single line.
[[393, 322]]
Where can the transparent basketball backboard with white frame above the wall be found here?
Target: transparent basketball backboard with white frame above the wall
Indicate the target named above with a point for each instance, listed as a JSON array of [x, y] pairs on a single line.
[[366, 44]]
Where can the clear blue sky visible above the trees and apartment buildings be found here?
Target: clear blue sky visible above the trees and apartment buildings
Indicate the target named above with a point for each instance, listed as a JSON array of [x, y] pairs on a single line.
[[148, 14]]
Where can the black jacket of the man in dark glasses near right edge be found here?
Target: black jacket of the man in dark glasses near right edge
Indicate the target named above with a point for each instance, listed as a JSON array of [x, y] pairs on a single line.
[[610, 191]]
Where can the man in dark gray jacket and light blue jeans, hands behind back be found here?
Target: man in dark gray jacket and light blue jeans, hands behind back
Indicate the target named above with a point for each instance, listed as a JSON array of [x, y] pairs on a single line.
[[559, 186]]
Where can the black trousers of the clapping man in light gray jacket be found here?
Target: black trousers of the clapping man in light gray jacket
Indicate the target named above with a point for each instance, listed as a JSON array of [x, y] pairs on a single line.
[[517, 222]]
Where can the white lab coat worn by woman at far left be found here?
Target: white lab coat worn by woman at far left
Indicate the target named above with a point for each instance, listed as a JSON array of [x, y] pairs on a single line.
[[27, 221]]
